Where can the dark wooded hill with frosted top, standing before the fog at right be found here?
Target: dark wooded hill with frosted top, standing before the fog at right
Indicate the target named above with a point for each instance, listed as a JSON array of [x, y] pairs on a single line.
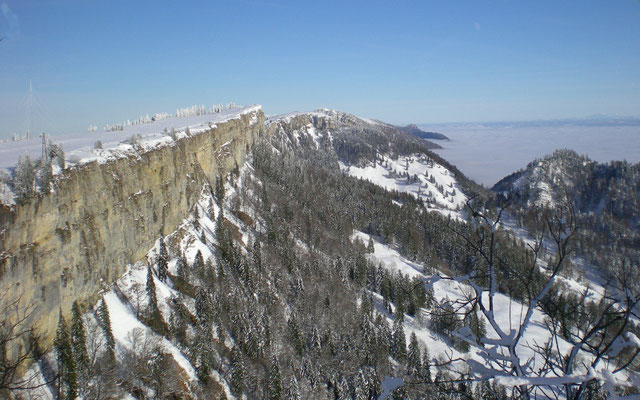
[[606, 199]]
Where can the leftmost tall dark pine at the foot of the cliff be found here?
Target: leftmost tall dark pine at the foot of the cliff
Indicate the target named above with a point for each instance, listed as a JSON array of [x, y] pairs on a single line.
[[67, 379]]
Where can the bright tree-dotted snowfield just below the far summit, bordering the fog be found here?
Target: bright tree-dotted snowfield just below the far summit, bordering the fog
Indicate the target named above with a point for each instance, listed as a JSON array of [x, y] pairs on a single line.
[[431, 177]]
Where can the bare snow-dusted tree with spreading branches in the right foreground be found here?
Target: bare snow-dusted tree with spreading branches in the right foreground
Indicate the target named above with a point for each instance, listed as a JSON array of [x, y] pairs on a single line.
[[593, 343]]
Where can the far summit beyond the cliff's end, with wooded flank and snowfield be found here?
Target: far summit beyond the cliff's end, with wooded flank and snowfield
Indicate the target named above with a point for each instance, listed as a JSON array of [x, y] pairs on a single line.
[[381, 153]]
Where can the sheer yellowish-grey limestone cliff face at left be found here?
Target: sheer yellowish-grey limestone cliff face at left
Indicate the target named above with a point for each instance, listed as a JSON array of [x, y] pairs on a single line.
[[68, 245]]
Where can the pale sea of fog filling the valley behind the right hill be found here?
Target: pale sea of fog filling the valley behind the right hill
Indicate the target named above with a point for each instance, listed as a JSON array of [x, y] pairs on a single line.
[[488, 152]]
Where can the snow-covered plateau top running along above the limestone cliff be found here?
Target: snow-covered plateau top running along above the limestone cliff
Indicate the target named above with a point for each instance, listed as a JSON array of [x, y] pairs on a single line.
[[81, 147]]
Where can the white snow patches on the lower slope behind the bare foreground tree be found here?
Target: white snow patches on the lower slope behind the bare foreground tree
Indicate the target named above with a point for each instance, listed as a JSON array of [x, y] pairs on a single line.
[[508, 316]]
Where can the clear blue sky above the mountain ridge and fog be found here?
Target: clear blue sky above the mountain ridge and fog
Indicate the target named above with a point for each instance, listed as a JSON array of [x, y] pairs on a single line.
[[101, 61]]
